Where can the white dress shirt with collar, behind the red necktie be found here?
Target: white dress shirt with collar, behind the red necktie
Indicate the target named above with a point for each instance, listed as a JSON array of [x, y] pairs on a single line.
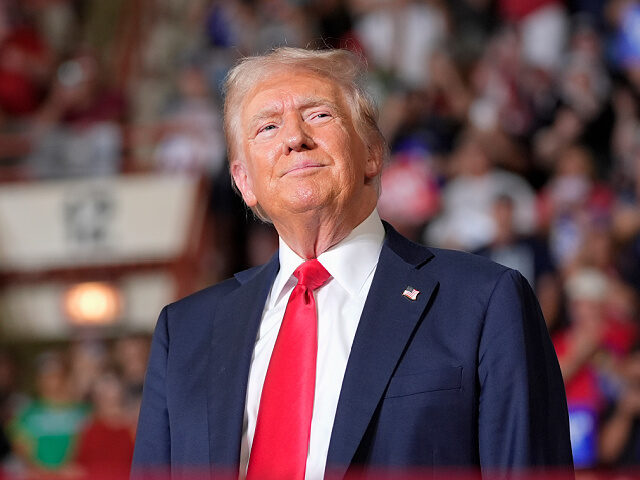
[[340, 301]]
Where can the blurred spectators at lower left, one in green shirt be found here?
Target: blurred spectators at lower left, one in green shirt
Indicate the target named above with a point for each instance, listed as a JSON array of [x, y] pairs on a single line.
[[79, 419]]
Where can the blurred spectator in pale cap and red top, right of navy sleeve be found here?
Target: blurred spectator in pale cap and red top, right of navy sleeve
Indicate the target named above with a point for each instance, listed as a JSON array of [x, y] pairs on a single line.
[[594, 353]]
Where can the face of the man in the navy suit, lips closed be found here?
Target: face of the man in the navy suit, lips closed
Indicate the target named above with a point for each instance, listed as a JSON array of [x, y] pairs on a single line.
[[300, 150]]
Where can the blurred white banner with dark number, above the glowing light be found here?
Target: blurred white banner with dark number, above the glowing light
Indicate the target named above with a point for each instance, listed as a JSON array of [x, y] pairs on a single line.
[[114, 220]]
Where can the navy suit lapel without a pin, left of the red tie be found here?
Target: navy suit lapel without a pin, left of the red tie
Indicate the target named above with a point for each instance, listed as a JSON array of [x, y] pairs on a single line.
[[235, 328]]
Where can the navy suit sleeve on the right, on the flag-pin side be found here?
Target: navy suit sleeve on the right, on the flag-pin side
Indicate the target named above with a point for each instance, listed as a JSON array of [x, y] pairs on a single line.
[[522, 418]]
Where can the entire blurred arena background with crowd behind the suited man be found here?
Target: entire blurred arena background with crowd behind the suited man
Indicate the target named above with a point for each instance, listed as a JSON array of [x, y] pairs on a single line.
[[514, 127]]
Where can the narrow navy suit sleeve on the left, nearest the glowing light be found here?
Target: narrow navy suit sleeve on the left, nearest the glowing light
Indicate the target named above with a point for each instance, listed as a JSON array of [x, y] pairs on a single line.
[[153, 446]]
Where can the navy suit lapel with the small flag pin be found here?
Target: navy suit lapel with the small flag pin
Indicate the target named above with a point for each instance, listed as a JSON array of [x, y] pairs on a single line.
[[386, 326]]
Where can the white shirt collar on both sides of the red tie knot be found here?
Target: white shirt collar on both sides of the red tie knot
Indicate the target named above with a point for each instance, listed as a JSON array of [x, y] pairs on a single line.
[[350, 262]]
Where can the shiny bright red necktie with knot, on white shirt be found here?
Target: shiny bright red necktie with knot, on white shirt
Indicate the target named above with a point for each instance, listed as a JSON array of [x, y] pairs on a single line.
[[281, 440]]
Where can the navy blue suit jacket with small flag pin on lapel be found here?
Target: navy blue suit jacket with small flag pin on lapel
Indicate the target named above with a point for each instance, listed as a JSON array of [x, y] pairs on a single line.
[[465, 375]]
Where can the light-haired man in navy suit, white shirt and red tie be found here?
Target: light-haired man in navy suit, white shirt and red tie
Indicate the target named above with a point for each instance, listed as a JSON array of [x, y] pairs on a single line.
[[425, 358]]
